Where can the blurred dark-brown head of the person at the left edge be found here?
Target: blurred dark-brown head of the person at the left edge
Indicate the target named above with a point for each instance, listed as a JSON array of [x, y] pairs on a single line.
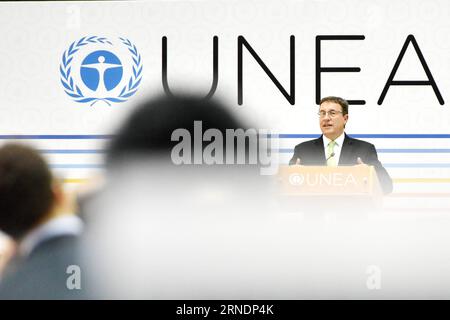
[[26, 194]]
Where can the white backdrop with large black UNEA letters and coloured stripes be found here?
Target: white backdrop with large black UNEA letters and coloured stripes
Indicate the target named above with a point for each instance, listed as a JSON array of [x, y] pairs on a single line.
[[70, 72]]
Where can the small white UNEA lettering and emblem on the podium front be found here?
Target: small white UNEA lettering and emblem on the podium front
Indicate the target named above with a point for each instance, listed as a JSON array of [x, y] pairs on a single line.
[[336, 179]]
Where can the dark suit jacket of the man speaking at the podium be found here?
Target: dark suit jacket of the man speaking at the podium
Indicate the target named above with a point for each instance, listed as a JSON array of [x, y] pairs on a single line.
[[312, 153]]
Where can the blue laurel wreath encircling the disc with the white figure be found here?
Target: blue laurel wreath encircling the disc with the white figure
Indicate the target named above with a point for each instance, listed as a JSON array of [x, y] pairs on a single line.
[[76, 93]]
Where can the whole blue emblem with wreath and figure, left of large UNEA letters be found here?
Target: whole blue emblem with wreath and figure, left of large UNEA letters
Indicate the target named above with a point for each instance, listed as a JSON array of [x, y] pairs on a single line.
[[93, 70]]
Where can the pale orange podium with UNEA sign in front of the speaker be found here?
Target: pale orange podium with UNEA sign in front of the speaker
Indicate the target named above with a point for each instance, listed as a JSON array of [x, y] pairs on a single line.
[[329, 189]]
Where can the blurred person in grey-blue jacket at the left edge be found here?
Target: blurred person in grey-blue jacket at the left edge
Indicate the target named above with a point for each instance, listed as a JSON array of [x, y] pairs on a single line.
[[39, 216]]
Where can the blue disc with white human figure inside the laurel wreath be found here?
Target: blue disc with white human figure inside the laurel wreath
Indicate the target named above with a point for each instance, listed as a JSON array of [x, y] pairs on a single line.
[[101, 71]]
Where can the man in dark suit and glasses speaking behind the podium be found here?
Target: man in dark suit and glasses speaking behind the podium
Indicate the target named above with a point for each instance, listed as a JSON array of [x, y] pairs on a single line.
[[335, 147]]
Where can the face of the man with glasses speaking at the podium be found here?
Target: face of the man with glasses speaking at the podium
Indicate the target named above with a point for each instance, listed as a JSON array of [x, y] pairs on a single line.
[[333, 122]]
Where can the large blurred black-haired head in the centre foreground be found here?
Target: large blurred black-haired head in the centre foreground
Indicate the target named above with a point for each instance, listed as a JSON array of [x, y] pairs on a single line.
[[148, 131]]
